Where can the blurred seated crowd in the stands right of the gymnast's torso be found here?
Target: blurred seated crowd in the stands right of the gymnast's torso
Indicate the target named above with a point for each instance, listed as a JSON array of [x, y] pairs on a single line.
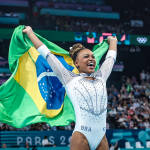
[[129, 108]]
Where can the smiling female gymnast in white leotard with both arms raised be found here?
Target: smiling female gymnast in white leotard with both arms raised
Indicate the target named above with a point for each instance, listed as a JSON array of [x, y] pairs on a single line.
[[87, 91]]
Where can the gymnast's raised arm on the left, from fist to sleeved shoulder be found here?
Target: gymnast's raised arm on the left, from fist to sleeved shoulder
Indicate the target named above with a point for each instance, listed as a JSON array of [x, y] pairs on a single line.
[[61, 72]]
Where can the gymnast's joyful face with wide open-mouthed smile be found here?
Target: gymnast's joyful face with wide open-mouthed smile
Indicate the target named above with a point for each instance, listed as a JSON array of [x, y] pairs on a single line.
[[85, 61]]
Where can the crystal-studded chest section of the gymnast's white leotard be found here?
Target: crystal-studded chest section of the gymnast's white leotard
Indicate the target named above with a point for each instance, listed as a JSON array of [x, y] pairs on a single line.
[[90, 100]]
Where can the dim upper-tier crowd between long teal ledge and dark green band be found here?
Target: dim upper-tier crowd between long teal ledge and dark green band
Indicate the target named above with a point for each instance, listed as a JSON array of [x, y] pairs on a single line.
[[70, 24]]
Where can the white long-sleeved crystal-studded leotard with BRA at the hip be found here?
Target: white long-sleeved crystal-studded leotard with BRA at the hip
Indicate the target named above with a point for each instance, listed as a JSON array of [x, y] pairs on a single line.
[[89, 98]]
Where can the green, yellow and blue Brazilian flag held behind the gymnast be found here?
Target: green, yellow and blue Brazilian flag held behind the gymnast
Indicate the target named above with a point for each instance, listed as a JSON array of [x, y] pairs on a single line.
[[33, 93]]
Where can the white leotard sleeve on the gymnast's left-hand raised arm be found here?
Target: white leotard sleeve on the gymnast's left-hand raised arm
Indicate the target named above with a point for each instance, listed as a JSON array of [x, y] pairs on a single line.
[[64, 75]]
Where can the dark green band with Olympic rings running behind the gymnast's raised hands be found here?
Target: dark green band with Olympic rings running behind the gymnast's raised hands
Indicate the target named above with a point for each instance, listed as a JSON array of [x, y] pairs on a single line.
[[77, 36]]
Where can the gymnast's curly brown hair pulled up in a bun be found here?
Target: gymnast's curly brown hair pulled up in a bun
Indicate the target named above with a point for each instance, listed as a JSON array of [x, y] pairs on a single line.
[[76, 48]]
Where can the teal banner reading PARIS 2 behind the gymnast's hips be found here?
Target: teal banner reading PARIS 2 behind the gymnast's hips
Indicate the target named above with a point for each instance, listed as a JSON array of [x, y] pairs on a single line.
[[62, 138]]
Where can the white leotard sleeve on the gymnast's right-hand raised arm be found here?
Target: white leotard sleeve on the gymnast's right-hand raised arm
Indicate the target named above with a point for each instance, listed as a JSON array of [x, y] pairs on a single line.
[[107, 65]]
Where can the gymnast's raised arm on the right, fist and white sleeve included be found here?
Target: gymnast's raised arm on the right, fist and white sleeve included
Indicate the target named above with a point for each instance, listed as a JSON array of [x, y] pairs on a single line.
[[107, 65]]
